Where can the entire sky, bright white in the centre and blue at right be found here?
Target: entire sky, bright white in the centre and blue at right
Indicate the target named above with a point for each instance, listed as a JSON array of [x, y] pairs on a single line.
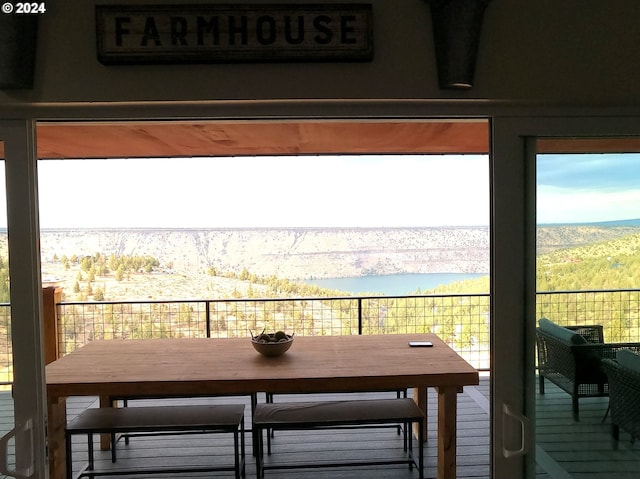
[[322, 191]]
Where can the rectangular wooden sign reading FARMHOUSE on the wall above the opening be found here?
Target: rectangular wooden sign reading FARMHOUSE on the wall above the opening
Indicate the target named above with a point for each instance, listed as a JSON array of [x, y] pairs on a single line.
[[234, 33]]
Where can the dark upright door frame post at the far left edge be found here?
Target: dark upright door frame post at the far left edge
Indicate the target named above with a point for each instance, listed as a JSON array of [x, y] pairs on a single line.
[[29, 392]]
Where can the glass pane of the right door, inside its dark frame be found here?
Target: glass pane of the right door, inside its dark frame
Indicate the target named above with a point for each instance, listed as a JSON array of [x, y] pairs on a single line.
[[587, 289]]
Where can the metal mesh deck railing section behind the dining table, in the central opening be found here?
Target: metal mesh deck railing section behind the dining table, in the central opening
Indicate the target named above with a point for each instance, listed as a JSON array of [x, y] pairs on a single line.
[[460, 320]]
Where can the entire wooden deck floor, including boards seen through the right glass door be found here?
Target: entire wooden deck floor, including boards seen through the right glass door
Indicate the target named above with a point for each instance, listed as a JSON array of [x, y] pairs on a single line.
[[565, 449]]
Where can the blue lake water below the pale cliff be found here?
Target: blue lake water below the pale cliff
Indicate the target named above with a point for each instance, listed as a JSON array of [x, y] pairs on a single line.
[[393, 284]]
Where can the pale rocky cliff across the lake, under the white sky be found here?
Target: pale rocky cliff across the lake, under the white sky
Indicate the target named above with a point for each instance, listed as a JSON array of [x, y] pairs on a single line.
[[294, 253]]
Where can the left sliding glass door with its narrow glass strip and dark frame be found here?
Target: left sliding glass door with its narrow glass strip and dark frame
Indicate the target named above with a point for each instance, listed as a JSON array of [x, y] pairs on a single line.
[[22, 447]]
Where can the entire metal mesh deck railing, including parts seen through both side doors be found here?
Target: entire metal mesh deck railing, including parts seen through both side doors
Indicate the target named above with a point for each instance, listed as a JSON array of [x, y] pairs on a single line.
[[461, 320]]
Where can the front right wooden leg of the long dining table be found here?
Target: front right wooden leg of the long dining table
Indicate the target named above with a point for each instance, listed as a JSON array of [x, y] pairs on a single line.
[[447, 411]]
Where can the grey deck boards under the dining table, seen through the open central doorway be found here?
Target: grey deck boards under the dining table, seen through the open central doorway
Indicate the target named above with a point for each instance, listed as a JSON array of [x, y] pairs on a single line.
[[309, 446]]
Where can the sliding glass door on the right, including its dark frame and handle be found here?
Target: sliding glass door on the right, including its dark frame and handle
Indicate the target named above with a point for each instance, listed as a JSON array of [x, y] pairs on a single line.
[[573, 240]]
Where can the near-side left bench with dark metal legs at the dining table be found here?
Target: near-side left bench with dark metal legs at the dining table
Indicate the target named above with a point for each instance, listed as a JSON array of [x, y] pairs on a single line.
[[223, 418]]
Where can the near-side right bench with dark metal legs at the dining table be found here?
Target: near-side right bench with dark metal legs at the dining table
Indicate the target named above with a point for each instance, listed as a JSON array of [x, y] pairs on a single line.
[[328, 414]]
